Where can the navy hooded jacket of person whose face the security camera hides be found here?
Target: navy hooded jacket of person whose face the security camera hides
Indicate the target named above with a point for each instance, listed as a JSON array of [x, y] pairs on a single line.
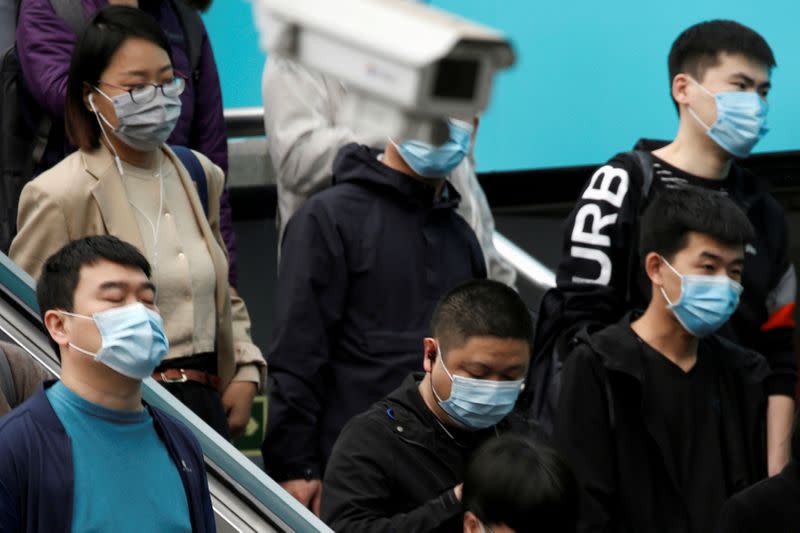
[[363, 264]]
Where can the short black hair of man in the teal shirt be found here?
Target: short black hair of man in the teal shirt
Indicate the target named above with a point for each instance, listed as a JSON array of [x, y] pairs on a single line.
[[61, 272]]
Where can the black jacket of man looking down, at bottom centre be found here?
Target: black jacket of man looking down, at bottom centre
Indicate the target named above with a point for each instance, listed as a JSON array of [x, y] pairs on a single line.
[[394, 467]]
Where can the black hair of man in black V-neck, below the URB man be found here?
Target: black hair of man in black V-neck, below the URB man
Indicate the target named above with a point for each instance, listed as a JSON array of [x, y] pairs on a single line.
[[674, 213]]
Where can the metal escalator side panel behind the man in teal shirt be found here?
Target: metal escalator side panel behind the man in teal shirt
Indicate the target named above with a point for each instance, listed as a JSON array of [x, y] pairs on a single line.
[[244, 498]]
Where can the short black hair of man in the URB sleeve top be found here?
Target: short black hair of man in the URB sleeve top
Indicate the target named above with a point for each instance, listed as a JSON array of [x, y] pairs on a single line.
[[699, 47]]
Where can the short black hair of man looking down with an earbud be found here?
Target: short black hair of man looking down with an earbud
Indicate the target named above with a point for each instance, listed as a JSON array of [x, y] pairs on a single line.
[[481, 308]]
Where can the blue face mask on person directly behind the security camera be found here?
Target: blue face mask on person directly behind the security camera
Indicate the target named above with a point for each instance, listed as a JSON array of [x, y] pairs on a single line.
[[437, 161]]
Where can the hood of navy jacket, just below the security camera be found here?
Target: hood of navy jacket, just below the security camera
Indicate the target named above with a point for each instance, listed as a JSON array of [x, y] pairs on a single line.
[[359, 164]]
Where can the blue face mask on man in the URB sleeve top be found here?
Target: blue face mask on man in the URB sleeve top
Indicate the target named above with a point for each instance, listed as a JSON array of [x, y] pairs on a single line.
[[741, 120]]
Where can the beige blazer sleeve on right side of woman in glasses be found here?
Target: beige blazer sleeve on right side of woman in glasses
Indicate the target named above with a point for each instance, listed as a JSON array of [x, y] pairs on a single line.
[[250, 362]]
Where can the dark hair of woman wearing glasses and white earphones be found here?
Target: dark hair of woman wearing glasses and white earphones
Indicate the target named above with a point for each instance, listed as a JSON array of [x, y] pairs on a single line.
[[103, 35]]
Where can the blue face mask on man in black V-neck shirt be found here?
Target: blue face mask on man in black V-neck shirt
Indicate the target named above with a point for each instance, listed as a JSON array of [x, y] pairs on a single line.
[[706, 302]]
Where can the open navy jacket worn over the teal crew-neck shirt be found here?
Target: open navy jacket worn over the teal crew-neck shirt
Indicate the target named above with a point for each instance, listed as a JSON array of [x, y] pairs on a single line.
[[36, 475]]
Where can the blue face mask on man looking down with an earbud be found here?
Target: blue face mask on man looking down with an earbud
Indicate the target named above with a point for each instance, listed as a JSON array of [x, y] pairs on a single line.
[[478, 403]]
